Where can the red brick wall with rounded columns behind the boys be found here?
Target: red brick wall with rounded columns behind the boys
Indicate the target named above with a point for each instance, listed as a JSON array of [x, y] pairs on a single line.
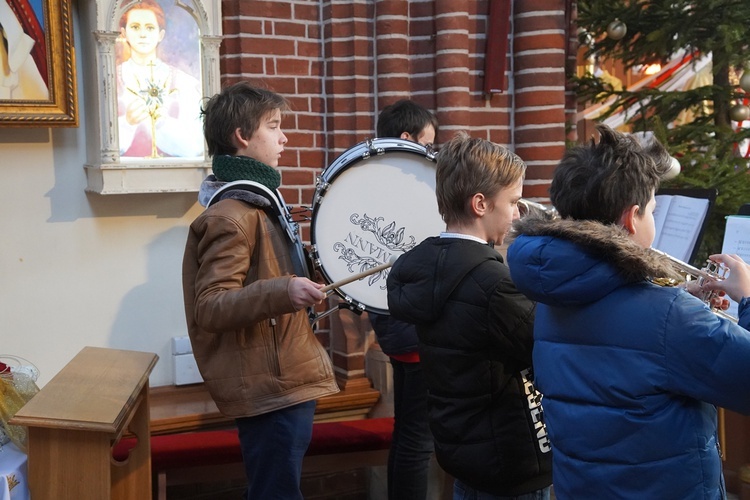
[[340, 62]]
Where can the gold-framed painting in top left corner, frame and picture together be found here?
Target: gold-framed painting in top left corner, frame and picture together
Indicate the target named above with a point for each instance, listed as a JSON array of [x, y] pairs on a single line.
[[37, 64]]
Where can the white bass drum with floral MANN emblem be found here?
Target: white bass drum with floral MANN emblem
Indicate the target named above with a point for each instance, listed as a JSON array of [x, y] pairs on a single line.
[[376, 201]]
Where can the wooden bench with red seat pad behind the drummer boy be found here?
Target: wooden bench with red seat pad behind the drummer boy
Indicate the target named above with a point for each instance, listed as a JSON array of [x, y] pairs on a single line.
[[191, 442]]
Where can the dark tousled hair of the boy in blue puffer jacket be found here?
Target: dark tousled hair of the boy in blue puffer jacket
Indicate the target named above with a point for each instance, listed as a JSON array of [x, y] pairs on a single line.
[[600, 180]]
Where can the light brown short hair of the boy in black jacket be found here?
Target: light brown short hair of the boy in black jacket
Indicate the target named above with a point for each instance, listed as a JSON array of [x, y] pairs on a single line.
[[467, 166]]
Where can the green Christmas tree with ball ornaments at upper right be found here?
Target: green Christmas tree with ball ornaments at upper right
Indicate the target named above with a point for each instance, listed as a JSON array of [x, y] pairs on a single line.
[[701, 124]]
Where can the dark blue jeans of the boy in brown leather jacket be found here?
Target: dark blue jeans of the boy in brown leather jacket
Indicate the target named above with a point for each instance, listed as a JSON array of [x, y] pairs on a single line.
[[273, 446]]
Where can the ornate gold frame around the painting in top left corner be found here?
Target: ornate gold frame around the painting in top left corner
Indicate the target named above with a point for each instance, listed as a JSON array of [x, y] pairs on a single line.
[[60, 109]]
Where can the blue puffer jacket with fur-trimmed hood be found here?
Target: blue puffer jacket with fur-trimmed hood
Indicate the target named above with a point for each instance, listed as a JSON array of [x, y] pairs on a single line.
[[631, 372]]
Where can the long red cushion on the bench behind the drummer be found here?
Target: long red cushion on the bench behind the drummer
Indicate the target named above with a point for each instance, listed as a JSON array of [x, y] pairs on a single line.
[[222, 446]]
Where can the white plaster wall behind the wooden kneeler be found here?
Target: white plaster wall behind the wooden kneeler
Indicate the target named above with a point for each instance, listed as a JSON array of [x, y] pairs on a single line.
[[80, 269]]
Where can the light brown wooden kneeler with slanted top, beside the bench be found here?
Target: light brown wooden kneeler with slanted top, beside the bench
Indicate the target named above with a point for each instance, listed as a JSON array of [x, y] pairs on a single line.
[[76, 418]]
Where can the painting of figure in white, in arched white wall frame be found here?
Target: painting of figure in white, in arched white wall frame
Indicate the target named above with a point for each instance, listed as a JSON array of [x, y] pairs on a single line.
[[155, 61]]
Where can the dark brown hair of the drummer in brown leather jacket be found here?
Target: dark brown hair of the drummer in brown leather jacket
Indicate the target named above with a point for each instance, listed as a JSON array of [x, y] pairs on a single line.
[[239, 106]]
